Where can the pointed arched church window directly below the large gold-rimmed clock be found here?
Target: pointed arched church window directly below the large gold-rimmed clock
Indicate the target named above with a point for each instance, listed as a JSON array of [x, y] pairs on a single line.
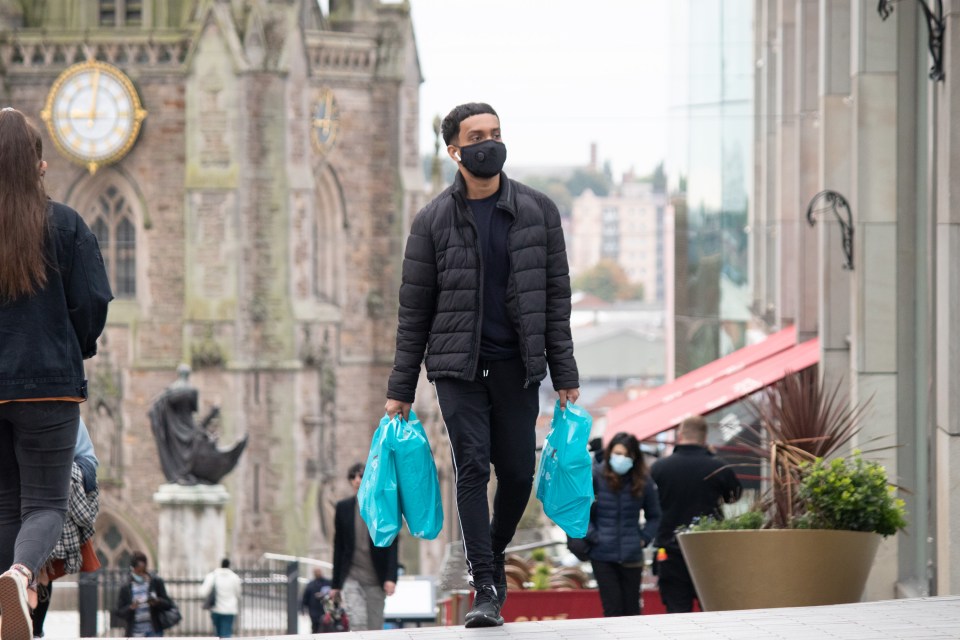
[[113, 224]]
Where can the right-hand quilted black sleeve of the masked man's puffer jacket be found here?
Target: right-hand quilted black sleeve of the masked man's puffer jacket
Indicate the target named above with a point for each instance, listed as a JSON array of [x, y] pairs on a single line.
[[559, 341]]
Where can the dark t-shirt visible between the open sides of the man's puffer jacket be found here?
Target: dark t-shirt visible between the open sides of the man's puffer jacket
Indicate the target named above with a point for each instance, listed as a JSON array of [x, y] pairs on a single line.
[[498, 336]]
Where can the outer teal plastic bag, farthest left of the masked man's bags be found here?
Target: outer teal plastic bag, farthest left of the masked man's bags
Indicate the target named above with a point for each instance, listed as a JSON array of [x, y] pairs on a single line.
[[379, 496]]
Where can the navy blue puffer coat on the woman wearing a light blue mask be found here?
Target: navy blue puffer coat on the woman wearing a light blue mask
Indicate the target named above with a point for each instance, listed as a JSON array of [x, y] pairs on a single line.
[[615, 520]]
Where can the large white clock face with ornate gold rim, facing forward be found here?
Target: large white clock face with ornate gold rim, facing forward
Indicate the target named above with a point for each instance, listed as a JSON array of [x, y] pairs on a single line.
[[93, 114]]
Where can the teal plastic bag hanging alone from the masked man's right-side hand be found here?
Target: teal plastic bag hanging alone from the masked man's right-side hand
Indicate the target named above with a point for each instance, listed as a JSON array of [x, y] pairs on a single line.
[[564, 476]]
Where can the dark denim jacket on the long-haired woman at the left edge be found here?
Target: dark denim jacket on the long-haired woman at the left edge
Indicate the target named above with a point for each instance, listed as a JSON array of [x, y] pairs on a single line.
[[44, 338]]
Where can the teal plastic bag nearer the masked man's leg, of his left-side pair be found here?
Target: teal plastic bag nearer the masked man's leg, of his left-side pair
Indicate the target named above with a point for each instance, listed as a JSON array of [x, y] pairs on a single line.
[[420, 501]]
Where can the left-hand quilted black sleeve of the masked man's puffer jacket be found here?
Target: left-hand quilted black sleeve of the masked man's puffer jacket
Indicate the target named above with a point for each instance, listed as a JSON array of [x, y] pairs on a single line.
[[418, 293]]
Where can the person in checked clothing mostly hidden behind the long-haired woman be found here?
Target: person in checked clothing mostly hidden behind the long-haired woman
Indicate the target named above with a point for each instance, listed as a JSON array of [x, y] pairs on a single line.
[[74, 551]]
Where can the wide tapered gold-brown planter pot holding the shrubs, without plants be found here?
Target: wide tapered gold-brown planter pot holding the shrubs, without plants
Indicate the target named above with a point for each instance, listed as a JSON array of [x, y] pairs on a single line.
[[758, 569]]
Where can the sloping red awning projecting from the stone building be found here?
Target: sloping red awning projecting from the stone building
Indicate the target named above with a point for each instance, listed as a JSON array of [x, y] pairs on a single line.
[[720, 392]]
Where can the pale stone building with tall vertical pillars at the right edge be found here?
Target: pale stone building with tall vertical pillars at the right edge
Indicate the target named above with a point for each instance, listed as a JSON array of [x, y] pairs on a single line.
[[855, 240]]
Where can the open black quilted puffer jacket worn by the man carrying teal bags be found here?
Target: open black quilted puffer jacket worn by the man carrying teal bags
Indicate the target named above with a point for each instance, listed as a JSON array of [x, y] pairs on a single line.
[[440, 298]]
